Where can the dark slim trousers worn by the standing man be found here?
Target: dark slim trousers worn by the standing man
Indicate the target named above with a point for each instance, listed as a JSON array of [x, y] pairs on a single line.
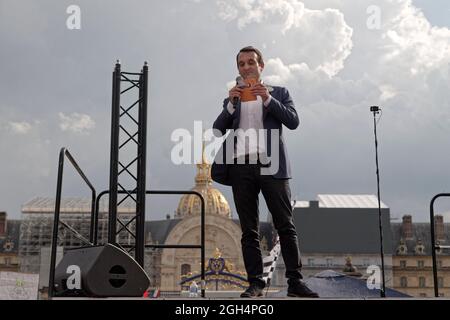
[[247, 182]]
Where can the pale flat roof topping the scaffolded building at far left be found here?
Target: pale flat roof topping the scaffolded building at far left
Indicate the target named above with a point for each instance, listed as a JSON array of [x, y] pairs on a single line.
[[73, 205]]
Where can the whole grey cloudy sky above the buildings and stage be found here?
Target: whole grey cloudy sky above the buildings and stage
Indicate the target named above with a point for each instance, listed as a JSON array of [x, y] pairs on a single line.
[[336, 58]]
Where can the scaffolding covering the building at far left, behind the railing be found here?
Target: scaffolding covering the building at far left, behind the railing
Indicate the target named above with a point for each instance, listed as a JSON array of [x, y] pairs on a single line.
[[74, 229]]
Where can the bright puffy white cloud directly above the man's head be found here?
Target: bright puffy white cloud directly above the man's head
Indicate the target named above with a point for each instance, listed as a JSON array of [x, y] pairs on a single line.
[[320, 38]]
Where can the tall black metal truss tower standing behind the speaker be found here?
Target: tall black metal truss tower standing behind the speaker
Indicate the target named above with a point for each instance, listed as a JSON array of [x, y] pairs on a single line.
[[133, 135]]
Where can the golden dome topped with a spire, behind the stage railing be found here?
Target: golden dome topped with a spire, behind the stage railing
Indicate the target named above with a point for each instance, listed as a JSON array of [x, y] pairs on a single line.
[[215, 202]]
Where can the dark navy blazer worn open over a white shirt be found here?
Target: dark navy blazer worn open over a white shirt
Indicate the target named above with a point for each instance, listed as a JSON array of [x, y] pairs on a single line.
[[280, 111]]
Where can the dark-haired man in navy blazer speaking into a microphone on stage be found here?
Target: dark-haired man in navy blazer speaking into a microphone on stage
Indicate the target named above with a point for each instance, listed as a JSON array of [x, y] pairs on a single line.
[[253, 169]]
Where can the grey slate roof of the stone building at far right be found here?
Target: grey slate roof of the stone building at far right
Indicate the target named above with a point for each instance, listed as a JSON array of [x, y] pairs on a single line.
[[420, 231]]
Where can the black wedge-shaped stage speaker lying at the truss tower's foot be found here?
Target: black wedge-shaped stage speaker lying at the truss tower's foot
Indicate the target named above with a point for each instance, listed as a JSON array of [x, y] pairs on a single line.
[[99, 271]]
